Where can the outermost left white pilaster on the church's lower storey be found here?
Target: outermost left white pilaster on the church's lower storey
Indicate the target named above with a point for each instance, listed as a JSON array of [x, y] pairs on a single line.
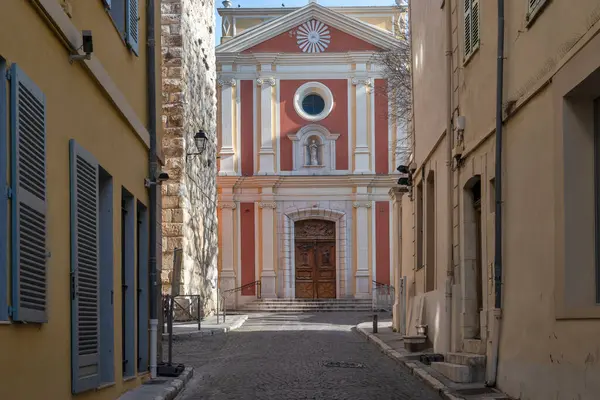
[[227, 275]]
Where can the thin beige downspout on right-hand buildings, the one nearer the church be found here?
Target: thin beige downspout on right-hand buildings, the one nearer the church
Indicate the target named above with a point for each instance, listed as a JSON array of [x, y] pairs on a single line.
[[449, 141]]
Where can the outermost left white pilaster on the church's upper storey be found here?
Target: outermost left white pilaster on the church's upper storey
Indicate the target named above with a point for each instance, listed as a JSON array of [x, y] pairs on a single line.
[[228, 126]]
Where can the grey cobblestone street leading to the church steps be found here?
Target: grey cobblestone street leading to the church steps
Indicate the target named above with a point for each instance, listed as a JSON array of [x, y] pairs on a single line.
[[285, 356]]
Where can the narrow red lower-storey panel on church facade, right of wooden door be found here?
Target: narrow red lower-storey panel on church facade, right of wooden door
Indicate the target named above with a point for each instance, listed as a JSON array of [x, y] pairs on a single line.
[[382, 241]]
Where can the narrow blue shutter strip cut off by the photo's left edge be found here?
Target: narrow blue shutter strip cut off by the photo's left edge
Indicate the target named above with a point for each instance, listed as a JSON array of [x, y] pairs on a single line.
[[3, 195]]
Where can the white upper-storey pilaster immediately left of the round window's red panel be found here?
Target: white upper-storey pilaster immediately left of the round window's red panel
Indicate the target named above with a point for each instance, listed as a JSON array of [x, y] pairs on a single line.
[[266, 152]]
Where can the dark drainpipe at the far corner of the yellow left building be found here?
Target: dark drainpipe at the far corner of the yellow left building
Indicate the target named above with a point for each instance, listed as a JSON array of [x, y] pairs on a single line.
[[153, 161]]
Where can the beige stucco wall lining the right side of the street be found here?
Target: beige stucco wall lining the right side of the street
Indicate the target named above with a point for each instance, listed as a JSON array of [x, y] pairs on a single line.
[[542, 354]]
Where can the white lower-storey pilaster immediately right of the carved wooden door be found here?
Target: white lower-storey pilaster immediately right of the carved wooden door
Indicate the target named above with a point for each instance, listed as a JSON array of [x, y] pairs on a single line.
[[363, 284]]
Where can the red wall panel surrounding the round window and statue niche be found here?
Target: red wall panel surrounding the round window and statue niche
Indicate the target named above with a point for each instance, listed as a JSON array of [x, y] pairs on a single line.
[[336, 121]]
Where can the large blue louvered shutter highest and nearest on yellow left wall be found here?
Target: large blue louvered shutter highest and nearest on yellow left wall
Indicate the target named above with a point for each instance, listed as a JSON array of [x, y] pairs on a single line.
[[29, 253]]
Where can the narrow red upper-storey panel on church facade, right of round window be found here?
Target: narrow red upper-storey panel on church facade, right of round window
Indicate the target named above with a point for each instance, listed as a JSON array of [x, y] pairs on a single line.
[[381, 127]]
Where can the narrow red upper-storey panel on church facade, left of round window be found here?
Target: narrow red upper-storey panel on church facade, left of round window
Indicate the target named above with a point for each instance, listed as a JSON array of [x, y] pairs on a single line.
[[247, 126]]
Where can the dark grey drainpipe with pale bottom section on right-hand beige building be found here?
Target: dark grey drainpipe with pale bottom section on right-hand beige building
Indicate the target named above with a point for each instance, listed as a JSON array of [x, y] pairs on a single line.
[[493, 363]]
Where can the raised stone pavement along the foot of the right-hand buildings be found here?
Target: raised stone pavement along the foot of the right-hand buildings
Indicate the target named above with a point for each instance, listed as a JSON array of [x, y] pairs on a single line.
[[392, 345]]
